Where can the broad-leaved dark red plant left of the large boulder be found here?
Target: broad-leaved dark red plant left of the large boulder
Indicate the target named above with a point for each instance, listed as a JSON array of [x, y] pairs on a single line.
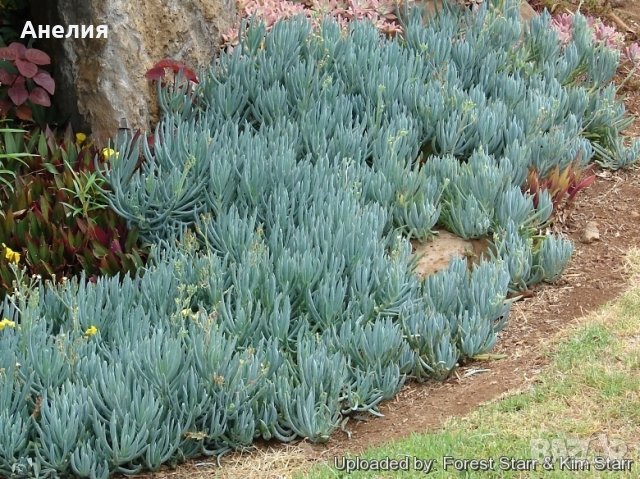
[[23, 83]]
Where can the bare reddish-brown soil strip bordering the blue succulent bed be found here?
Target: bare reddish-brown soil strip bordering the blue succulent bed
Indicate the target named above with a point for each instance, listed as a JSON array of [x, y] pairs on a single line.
[[595, 276]]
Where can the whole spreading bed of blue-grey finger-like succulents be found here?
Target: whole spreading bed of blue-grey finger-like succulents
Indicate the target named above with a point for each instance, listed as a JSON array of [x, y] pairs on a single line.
[[280, 194]]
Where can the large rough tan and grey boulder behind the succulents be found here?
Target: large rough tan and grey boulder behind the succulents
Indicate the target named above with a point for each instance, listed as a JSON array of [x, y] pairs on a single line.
[[100, 81]]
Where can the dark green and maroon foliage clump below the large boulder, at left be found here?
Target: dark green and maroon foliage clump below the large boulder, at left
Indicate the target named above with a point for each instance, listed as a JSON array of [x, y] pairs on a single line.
[[54, 214]]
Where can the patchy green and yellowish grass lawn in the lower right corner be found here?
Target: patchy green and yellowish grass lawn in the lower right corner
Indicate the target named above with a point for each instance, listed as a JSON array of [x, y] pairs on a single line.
[[584, 410]]
